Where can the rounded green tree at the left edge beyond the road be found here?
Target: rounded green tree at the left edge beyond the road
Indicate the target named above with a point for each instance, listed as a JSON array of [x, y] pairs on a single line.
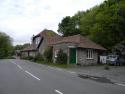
[[5, 45]]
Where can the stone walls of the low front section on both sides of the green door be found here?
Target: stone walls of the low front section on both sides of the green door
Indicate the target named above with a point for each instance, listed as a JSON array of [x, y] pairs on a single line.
[[81, 54]]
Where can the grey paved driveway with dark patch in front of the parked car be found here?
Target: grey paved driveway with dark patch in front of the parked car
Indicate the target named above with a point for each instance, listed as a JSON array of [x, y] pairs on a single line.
[[115, 73]]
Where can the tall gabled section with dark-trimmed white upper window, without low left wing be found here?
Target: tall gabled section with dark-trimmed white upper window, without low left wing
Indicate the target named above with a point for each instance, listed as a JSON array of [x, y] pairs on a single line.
[[44, 39]]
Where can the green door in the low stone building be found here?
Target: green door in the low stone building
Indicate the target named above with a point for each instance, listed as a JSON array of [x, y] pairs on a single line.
[[72, 56]]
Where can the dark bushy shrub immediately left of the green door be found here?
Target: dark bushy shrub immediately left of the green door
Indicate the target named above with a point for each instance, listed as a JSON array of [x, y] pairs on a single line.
[[61, 57]]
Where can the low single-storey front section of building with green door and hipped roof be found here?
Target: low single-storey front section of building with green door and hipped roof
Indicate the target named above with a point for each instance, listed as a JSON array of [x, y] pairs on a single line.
[[79, 49]]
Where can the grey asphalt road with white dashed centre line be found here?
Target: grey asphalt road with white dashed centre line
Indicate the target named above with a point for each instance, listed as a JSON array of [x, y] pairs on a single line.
[[24, 77]]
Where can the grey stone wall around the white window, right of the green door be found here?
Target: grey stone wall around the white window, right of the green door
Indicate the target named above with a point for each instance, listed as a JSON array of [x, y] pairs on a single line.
[[82, 57]]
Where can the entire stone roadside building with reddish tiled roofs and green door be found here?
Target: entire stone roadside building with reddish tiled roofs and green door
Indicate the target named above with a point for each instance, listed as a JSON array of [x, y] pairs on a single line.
[[79, 49]]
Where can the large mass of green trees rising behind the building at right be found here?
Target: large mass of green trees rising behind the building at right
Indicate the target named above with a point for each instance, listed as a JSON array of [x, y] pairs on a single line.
[[104, 24]]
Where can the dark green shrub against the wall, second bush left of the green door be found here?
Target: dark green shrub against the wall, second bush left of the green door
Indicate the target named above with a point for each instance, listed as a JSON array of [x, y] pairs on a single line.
[[48, 54]]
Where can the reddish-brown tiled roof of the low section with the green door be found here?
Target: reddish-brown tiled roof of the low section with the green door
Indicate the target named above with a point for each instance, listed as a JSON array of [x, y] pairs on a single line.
[[82, 42]]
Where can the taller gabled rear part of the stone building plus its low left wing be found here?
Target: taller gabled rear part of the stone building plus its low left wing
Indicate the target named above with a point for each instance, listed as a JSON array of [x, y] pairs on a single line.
[[40, 42]]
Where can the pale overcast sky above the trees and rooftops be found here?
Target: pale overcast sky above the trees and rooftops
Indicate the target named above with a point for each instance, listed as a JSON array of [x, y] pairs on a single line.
[[21, 19]]
